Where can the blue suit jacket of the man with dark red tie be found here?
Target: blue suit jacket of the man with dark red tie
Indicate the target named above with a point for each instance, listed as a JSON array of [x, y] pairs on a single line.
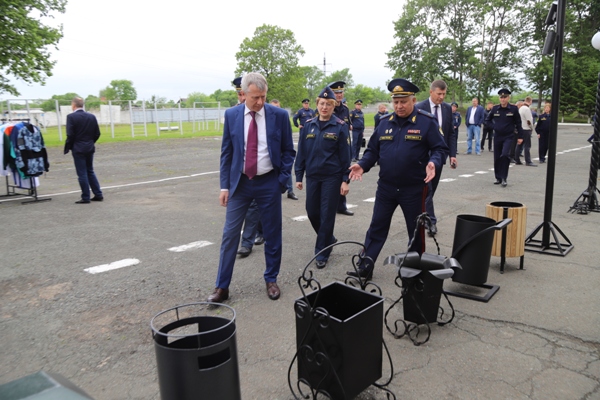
[[279, 142]]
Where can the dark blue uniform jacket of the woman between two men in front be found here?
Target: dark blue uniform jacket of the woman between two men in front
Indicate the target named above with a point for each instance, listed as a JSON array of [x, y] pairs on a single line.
[[323, 152]]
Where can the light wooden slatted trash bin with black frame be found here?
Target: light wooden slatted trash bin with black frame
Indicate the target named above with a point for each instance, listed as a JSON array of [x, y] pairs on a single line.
[[510, 242]]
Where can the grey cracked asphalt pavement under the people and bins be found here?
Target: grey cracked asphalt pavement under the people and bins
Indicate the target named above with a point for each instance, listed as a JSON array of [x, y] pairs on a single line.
[[537, 338]]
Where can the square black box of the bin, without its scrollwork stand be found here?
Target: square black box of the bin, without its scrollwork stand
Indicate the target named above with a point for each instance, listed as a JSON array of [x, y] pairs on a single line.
[[339, 345]]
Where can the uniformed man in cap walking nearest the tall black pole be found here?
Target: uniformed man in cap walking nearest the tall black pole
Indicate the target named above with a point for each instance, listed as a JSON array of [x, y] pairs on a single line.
[[505, 118]]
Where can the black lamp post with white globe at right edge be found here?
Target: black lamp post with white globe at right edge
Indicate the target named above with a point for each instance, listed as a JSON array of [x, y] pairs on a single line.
[[588, 200]]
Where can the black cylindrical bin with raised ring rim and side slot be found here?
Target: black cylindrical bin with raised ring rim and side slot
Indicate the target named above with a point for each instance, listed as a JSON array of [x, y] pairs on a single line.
[[196, 352]]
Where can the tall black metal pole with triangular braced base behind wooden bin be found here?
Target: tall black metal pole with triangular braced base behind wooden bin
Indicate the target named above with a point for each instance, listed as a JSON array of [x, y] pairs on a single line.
[[548, 227]]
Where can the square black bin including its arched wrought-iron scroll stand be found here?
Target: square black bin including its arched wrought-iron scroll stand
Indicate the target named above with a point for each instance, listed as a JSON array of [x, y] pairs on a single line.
[[339, 337]]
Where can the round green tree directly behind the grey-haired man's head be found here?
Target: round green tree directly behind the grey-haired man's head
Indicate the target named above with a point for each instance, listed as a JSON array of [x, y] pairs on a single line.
[[274, 53]]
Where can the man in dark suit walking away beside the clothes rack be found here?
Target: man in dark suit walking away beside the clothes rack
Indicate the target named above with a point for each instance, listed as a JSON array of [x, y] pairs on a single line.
[[82, 133]]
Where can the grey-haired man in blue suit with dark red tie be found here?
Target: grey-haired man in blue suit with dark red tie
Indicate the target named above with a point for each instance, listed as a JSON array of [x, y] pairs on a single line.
[[256, 162]]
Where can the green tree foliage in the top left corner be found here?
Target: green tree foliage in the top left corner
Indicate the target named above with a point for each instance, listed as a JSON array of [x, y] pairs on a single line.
[[25, 41]]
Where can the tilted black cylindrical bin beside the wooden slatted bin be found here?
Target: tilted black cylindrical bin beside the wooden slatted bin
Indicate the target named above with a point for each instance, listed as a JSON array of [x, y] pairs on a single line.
[[474, 257]]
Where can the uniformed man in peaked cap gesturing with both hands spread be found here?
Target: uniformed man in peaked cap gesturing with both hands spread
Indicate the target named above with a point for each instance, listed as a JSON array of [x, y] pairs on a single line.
[[409, 148]]
